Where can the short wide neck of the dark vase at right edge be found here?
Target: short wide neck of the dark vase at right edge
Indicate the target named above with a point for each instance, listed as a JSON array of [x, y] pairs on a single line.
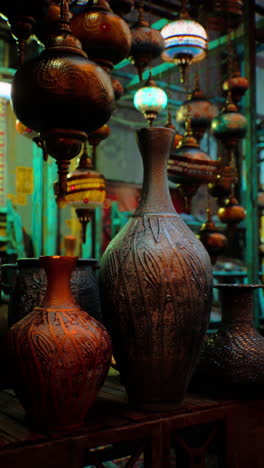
[[237, 302]]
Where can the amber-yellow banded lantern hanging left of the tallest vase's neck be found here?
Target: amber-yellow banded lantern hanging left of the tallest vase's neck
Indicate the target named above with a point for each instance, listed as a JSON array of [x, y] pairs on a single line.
[[85, 190]]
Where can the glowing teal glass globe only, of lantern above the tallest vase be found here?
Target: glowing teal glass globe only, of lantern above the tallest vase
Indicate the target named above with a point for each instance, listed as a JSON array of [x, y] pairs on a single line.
[[150, 98]]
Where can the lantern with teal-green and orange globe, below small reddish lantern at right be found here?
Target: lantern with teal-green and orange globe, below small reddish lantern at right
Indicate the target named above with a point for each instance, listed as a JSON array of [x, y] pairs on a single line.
[[230, 125]]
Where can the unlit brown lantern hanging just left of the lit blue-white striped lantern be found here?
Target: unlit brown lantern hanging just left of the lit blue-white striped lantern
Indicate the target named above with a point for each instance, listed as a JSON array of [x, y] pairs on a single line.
[[147, 44]]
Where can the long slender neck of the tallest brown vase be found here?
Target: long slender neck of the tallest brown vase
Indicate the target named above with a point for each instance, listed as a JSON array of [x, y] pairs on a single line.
[[155, 144]]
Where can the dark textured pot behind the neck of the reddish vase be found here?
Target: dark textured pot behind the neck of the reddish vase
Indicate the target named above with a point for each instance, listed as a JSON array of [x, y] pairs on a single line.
[[30, 286]]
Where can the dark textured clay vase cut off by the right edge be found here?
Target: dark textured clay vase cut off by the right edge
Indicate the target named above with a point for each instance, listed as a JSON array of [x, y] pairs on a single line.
[[232, 360]]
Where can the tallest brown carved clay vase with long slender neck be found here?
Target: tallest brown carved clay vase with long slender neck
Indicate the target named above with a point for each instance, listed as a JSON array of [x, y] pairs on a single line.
[[156, 289]]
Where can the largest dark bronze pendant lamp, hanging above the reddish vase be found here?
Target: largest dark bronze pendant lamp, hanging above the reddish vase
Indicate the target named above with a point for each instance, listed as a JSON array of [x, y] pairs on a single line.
[[62, 95]]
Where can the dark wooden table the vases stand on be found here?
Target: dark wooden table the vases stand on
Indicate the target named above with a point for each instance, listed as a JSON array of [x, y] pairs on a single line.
[[203, 433]]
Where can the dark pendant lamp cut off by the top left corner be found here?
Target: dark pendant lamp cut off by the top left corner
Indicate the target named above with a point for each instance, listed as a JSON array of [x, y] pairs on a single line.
[[22, 16]]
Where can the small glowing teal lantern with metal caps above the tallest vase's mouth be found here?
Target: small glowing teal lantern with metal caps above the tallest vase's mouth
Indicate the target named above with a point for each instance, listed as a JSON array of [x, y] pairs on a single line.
[[150, 100]]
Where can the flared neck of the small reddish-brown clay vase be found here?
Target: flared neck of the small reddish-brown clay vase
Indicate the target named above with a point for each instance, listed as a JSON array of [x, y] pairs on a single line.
[[58, 294]]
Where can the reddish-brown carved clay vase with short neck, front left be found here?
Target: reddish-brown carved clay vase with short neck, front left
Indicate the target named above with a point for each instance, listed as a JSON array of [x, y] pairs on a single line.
[[59, 355]]
